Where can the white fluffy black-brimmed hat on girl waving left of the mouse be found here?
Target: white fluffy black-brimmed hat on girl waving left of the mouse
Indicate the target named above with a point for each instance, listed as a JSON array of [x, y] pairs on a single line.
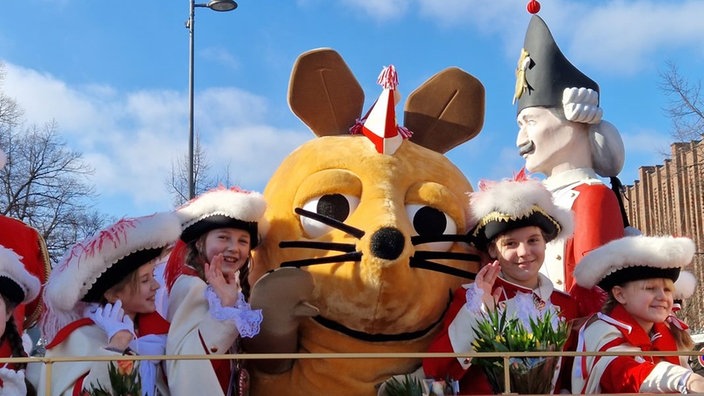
[[224, 208]]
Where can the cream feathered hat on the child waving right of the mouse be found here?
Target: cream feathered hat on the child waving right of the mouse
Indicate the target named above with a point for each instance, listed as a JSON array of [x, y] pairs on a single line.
[[499, 207]]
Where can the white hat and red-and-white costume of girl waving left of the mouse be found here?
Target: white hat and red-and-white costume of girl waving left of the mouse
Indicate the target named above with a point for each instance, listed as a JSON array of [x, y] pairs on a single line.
[[200, 324]]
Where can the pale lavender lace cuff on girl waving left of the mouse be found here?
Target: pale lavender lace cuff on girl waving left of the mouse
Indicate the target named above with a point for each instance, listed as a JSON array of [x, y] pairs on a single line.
[[246, 319]]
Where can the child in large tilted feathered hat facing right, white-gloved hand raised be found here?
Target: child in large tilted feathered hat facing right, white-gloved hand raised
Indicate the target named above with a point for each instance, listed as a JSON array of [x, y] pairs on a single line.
[[100, 302]]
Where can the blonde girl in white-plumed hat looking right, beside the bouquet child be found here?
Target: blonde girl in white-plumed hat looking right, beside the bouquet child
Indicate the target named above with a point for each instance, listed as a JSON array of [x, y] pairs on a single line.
[[639, 273]]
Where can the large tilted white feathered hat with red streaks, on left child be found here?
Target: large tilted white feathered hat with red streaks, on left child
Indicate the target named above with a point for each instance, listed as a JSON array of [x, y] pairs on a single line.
[[93, 266]]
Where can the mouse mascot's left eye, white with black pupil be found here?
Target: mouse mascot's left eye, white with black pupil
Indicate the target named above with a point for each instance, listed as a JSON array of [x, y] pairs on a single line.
[[335, 206]]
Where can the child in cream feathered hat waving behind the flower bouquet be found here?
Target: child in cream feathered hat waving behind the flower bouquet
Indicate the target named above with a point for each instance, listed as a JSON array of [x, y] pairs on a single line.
[[512, 222]]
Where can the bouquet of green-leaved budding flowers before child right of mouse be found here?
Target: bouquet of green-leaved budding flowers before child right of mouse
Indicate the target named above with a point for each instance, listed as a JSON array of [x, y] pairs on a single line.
[[529, 329]]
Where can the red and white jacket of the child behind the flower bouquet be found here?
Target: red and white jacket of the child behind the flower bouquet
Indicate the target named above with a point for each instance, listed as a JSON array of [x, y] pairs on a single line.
[[457, 334]]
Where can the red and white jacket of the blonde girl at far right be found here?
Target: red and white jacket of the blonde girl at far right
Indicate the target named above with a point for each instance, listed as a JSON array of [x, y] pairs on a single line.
[[618, 331]]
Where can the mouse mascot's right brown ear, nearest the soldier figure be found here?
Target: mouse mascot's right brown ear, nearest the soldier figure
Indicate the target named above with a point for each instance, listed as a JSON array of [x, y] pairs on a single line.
[[446, 111]]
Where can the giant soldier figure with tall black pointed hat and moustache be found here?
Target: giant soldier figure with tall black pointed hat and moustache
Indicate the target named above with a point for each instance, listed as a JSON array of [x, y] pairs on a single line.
[[562, 135]]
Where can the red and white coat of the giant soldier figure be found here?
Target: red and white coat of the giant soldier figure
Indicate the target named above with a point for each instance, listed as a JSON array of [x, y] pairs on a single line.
[[597, 220]]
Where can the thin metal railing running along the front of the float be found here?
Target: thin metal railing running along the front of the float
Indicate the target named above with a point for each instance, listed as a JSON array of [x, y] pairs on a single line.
[[50, 361]]
